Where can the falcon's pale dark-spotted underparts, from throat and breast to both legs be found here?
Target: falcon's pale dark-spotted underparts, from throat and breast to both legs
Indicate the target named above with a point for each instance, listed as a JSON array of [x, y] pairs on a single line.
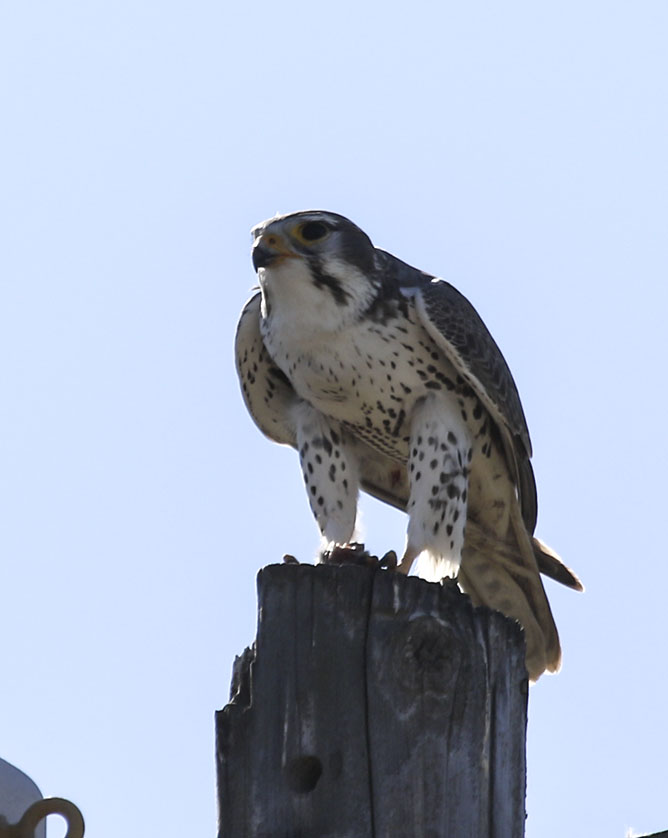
[[337, 366]]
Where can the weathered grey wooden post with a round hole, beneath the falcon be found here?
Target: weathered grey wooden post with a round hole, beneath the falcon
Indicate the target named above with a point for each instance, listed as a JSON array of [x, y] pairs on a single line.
[[373, 705]]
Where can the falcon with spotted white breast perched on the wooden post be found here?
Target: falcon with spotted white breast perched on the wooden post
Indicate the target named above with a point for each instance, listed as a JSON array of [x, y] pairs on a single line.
[[385, 378]]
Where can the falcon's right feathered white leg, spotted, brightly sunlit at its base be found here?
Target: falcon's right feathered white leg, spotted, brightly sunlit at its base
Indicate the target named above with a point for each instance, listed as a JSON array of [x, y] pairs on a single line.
[[438, 471]]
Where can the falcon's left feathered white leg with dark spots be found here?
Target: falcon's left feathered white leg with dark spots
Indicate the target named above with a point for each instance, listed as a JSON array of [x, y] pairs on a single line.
[[330, 473]]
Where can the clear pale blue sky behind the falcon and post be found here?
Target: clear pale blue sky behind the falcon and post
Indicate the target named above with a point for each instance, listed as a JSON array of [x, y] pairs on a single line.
[[519, 150]]
